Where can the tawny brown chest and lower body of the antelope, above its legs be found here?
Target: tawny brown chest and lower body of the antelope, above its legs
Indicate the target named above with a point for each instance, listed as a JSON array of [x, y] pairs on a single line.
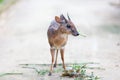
[[57, 38]]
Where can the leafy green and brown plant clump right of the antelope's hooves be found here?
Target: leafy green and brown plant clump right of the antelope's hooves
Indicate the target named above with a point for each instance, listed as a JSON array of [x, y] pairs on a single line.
[[80, 72]]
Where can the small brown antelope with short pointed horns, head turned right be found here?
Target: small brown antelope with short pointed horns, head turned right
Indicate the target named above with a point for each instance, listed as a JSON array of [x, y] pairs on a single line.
[[57, 33]]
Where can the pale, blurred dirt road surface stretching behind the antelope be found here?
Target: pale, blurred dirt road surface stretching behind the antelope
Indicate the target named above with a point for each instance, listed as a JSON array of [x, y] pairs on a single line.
[[23, 38]]
